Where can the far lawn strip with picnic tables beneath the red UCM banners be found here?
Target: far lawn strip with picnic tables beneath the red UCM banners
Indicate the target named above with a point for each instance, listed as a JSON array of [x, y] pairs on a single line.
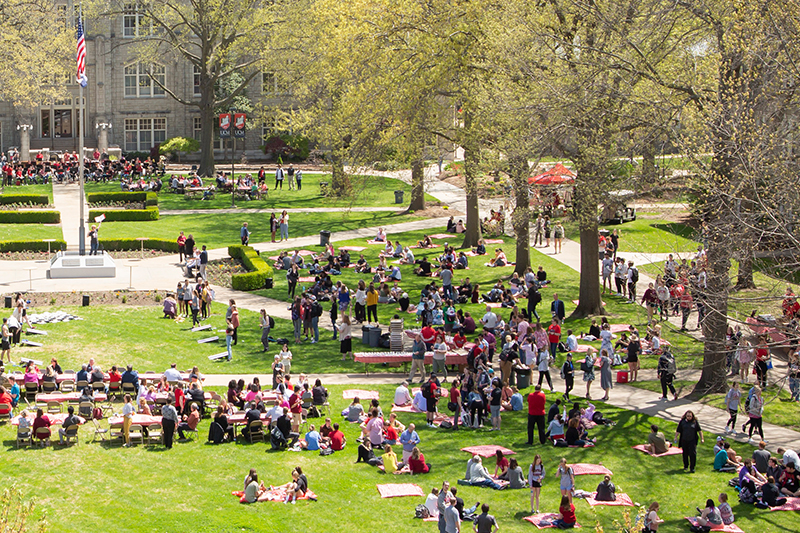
[[369, 191]]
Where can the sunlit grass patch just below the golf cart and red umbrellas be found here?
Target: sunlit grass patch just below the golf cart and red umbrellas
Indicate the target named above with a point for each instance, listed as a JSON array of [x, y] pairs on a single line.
[[647, 235]]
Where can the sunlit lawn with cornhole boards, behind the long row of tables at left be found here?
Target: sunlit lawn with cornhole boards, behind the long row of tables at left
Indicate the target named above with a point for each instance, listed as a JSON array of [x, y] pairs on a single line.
[[141, 337]]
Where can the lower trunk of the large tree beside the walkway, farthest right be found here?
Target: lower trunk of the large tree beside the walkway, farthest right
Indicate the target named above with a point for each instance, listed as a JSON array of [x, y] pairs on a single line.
[[713, 377]]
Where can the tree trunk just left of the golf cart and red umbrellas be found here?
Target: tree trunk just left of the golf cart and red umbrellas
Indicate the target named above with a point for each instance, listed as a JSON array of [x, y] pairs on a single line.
[[585, 202]]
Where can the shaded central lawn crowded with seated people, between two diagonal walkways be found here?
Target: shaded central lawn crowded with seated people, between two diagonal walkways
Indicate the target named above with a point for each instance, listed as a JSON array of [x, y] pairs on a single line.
[[563, 280]]
